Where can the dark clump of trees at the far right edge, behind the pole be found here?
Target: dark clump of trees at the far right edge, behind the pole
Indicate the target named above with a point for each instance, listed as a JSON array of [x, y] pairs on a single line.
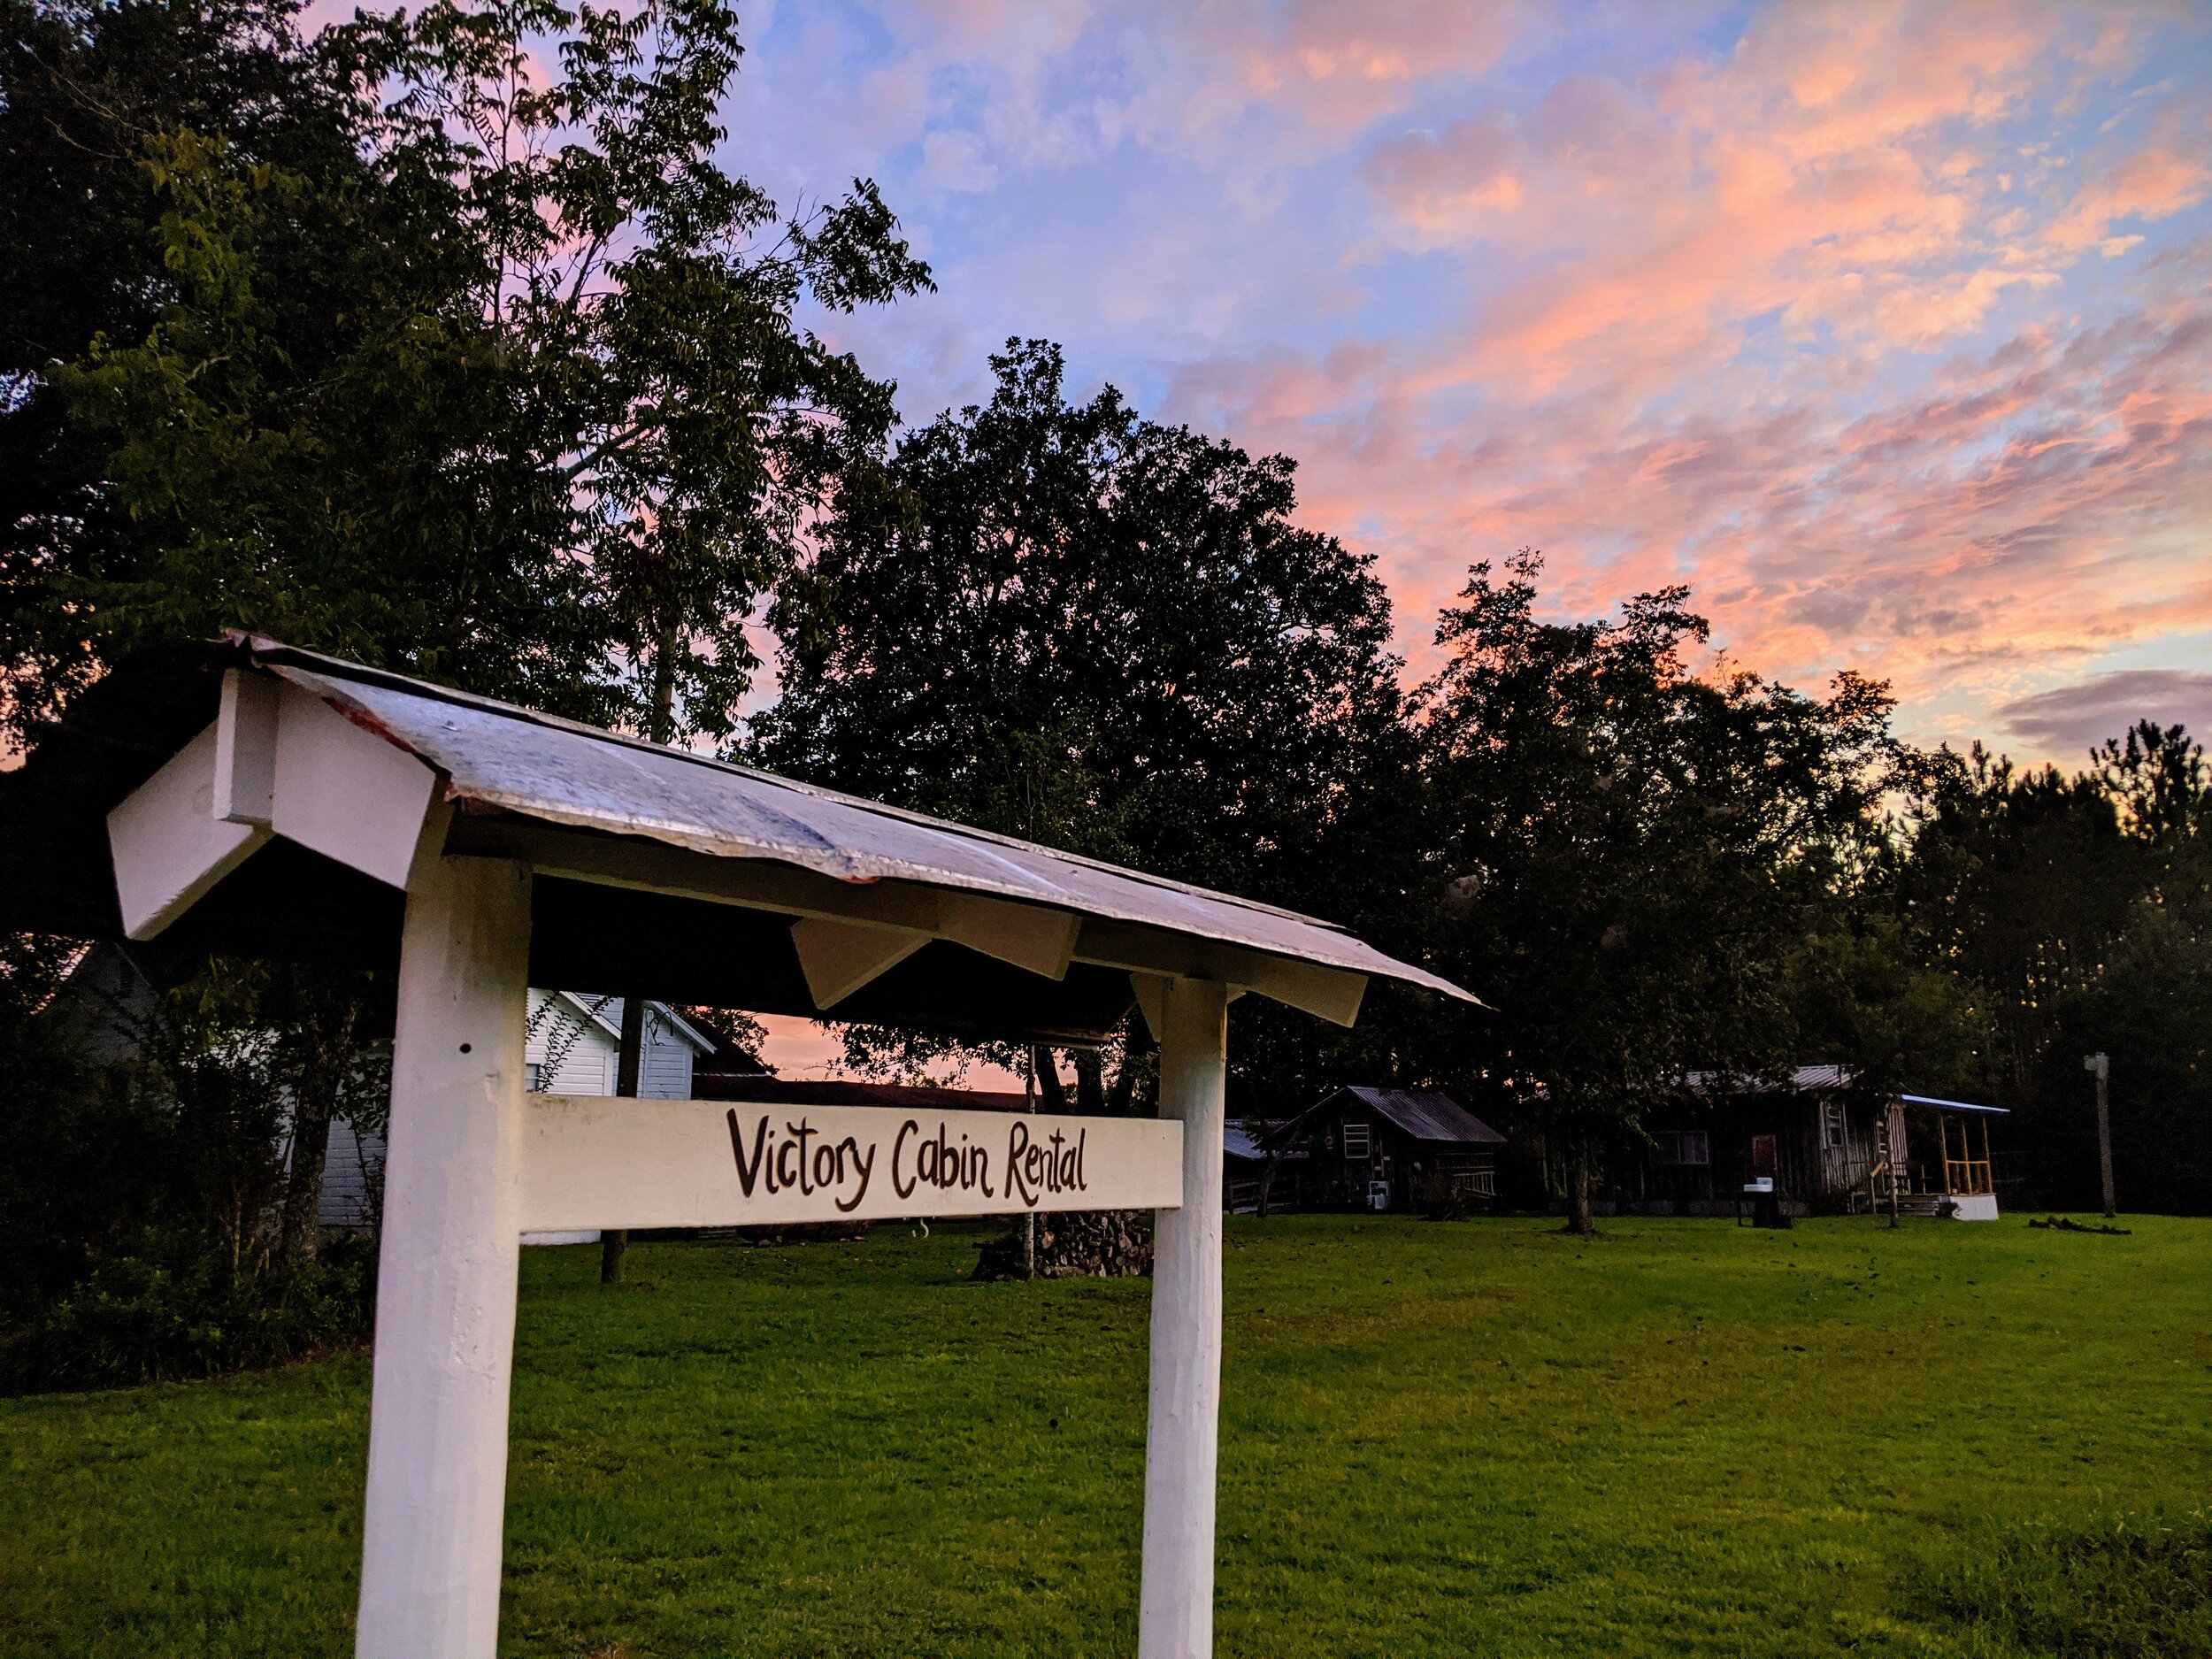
[[2078, 910]]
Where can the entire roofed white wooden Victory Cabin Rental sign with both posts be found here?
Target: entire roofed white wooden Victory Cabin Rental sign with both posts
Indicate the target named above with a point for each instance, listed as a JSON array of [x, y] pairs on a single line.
[[514, 839]]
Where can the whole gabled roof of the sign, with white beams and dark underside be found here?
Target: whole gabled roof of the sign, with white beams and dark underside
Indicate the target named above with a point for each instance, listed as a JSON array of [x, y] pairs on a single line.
[[269, 802]]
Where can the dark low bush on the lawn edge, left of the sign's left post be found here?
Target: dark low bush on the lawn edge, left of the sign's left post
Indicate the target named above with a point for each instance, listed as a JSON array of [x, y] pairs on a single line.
[[138, 1319]]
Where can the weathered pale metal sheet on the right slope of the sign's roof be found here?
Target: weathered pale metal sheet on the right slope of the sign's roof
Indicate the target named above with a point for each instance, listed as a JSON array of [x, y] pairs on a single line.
[[578, 775]]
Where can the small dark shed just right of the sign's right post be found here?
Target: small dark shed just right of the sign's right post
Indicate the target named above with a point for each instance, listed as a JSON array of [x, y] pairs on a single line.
[[1395, 1149]]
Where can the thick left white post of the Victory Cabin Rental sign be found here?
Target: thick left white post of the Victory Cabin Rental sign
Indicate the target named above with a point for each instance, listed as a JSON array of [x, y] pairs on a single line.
[[446, 1300]]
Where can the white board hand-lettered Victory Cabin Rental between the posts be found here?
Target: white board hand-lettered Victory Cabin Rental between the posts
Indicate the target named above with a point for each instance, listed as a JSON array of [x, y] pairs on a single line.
[[614, 1162]]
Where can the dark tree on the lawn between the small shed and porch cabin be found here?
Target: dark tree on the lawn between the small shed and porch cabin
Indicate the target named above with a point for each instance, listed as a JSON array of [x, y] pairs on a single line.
[[1631, 851]]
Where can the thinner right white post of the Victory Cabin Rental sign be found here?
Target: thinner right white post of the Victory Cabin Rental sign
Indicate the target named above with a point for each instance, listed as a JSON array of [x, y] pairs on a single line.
[[1176, 1618]]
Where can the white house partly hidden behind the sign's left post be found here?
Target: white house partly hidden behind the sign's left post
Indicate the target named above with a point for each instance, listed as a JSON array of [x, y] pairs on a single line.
[[574, 1047]]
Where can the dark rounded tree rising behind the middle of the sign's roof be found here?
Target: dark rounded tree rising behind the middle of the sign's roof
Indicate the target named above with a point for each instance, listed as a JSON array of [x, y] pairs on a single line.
[[1087, 629]]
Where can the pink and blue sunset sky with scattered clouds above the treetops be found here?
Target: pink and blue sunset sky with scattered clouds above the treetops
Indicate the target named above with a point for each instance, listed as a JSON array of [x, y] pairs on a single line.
[[1884, 326]]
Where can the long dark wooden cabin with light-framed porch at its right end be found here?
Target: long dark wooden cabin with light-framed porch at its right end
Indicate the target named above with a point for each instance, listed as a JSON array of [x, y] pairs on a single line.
[[1815, 1142]]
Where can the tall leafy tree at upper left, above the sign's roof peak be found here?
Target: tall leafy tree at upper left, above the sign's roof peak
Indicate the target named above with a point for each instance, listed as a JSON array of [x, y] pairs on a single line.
[[497, 379]]
